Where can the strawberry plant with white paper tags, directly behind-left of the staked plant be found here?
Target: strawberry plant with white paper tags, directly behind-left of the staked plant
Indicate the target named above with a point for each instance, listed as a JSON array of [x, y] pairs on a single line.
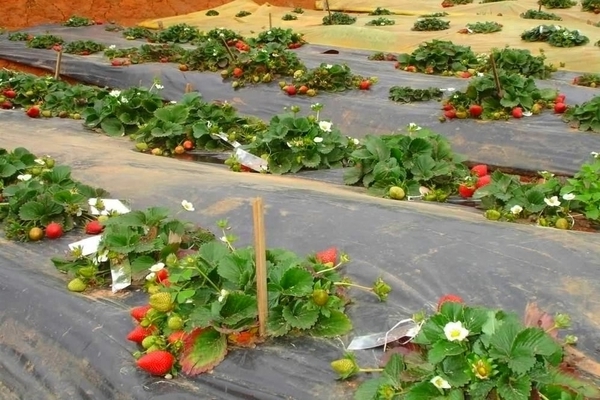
[[132, 242]]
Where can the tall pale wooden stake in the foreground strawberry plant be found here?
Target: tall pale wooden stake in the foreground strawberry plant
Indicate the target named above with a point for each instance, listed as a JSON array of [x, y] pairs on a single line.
[[261, 265]]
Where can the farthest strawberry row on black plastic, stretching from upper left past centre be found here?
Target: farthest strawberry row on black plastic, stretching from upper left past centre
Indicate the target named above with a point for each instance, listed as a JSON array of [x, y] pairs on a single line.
[[244, 61]]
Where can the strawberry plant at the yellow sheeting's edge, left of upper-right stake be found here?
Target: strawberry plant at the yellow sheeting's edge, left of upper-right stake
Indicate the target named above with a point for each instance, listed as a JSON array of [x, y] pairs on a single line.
[[439, 56]]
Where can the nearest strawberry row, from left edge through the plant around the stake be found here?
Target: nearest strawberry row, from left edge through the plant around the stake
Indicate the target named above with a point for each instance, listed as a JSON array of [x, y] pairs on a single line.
[[201, 290]]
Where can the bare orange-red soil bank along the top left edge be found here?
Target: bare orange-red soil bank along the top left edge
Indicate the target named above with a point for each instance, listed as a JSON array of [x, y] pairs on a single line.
[[18, 14]]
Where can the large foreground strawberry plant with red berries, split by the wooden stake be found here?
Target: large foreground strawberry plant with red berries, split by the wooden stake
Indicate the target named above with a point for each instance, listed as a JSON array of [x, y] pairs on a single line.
[[209, 304]]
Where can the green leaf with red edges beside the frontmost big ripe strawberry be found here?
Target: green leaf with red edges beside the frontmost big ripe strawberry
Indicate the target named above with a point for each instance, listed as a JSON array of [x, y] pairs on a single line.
[[202, 351]]
